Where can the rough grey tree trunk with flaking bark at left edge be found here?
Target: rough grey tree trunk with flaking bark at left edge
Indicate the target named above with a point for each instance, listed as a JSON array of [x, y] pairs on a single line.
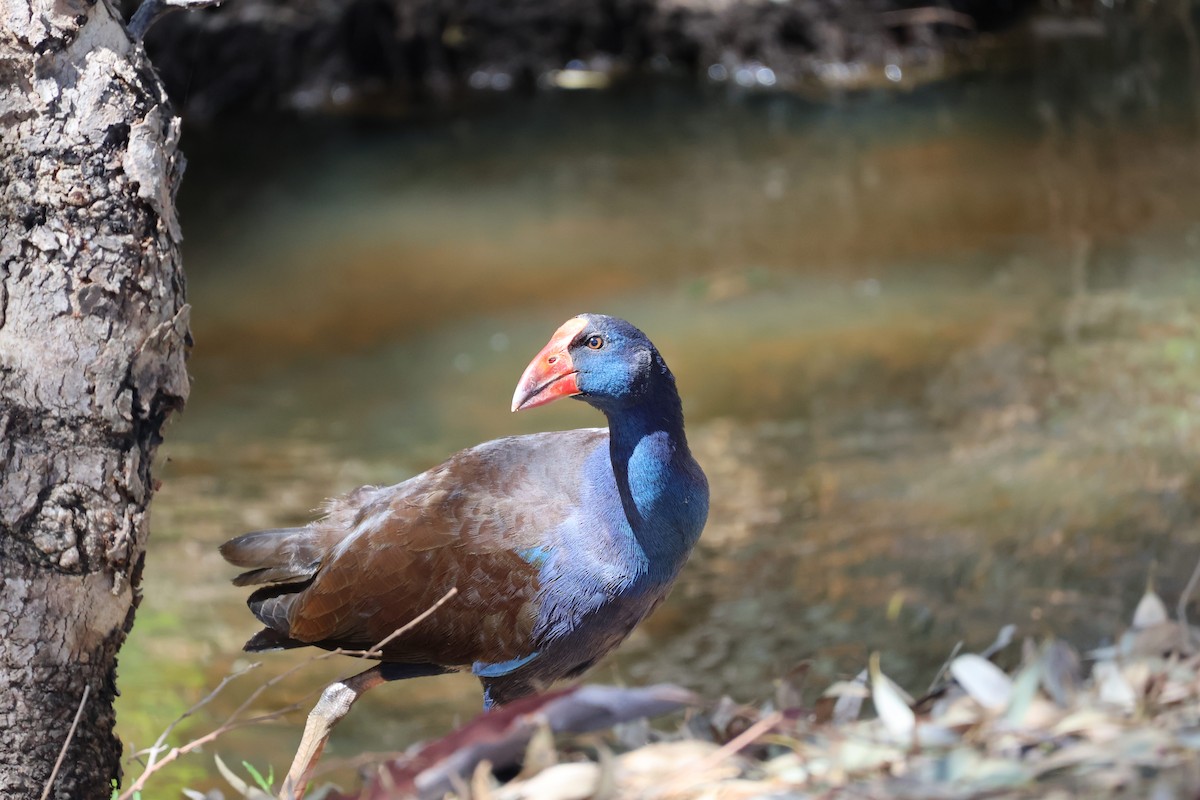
[[93, 345]]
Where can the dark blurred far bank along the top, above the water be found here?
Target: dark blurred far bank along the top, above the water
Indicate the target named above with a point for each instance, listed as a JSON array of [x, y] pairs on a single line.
[[313, 55]]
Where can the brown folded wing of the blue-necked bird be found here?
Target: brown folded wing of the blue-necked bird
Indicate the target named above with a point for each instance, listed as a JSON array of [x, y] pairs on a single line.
[[476, 524]]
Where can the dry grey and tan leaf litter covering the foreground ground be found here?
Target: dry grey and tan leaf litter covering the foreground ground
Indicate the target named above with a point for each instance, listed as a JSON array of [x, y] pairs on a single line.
[[1120, 723]]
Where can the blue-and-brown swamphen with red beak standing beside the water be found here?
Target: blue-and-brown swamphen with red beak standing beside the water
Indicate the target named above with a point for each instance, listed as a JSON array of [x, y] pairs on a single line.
[[538, 555]]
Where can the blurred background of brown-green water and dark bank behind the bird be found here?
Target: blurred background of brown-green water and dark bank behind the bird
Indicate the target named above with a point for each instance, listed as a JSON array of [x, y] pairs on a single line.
[[927, 274]]
